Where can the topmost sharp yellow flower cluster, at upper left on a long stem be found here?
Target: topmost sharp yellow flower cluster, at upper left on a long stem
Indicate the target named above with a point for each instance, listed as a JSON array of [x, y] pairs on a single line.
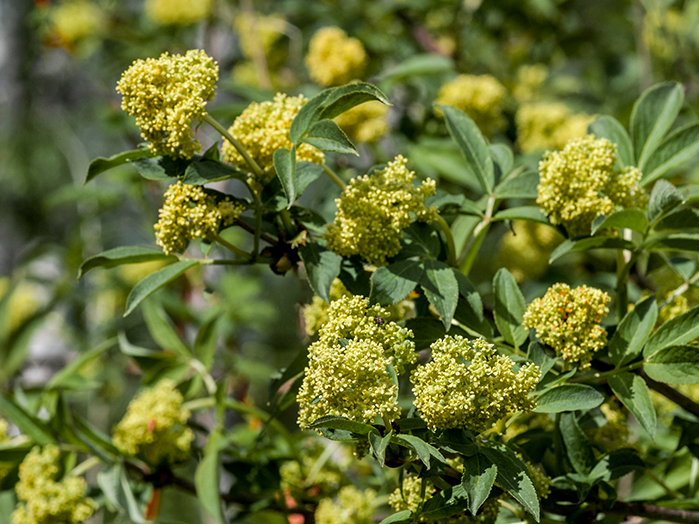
[[166, 95]]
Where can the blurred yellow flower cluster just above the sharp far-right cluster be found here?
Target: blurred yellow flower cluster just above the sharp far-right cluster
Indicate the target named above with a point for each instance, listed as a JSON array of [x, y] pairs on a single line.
[[548, 125]]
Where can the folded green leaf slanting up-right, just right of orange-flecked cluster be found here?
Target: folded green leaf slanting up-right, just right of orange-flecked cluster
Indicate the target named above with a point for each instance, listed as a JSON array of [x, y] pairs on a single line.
[[633, 331]]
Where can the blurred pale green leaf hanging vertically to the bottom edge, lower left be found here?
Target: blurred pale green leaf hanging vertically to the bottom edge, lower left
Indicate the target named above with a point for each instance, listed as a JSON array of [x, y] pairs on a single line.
[[208, 474]]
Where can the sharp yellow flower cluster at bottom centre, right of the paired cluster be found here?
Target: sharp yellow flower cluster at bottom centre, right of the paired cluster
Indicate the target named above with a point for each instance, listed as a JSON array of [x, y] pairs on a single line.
[[468, 385]]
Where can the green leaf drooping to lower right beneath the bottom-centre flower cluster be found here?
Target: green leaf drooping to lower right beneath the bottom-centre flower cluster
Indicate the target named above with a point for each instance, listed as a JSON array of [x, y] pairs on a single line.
[[513, 476]]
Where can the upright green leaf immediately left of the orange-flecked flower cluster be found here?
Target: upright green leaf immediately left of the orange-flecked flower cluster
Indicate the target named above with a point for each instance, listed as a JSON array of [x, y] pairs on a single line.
[[509, 308]]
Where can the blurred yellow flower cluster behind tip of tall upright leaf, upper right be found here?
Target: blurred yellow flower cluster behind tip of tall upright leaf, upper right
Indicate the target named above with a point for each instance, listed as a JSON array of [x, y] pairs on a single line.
[[480, 97]]
